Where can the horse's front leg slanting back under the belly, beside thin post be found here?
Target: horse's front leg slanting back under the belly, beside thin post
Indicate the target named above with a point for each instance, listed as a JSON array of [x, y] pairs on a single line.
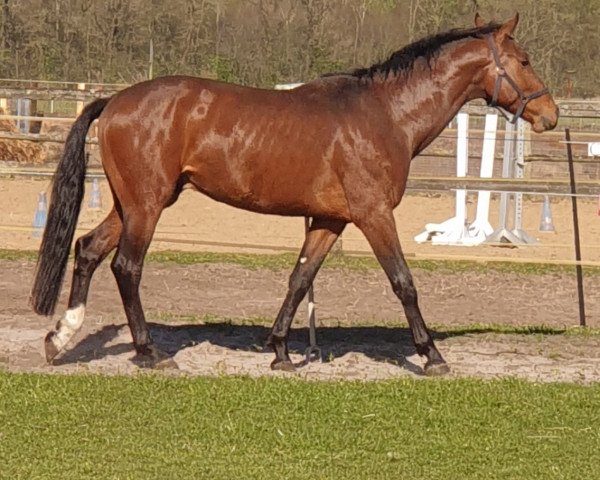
[[319, 240]]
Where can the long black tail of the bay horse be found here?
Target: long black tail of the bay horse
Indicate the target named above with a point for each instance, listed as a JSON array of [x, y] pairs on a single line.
[[65, 204]]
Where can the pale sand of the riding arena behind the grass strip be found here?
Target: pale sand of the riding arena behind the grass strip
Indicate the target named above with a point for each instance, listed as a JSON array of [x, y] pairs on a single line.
[[196, 223]]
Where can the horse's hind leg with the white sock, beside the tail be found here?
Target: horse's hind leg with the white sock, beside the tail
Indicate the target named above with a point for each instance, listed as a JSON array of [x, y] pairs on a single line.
[[90, 250]]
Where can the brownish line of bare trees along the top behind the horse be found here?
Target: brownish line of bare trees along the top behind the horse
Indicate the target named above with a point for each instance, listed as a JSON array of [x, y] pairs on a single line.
[[264, 42]]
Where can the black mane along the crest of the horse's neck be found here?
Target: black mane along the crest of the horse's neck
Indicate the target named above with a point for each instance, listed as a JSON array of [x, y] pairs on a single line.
[[402, 61]]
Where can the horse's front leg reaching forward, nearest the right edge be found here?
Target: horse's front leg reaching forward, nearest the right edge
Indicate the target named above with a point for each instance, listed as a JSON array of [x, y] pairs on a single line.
[[379, 228]]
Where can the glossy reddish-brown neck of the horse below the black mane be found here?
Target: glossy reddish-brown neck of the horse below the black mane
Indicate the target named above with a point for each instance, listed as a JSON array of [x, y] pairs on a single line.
[[423, 103]]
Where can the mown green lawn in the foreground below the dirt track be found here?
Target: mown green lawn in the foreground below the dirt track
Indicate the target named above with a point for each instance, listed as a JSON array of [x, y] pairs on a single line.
[[147, 427]]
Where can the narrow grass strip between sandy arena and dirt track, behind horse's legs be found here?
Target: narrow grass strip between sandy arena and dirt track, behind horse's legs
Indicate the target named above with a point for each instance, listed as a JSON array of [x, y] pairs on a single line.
[[286, 261]]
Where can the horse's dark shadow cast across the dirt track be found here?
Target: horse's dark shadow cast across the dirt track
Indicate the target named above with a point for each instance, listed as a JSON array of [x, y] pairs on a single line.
[[385, 344]]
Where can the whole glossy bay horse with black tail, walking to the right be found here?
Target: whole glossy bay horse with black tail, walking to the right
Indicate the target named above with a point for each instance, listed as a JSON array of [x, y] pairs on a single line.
[[337, 149]]
